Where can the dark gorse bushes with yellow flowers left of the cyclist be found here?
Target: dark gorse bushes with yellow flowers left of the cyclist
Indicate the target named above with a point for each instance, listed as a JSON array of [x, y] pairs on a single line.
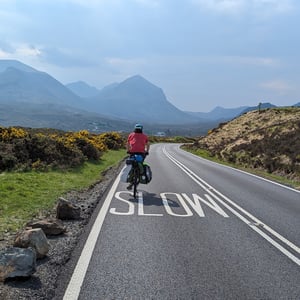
[[22, 149]]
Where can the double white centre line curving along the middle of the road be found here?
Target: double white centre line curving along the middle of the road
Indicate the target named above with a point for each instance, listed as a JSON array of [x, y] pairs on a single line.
[[214, 193]]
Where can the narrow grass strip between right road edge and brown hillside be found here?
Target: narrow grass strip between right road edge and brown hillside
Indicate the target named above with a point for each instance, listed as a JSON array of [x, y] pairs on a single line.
[[205, 154]]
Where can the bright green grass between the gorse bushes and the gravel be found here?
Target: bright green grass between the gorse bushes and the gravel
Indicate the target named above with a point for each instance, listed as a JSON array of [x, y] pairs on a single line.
[[25, 195]]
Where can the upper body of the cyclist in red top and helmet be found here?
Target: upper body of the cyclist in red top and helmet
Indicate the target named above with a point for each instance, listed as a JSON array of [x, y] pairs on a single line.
[[137, 143]]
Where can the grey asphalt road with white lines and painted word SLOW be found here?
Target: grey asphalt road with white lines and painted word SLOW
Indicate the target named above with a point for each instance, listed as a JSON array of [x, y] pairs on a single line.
[[199, 230]]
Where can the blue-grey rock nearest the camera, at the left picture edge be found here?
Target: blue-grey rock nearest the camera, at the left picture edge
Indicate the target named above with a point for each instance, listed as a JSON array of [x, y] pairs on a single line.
[[17, 262]]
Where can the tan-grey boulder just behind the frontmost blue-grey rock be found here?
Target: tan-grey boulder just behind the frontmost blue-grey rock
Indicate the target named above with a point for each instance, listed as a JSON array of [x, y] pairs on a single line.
[[34, 238]]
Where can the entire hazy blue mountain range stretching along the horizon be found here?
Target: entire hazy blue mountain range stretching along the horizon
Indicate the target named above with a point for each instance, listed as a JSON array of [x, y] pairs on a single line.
[[133, 100]]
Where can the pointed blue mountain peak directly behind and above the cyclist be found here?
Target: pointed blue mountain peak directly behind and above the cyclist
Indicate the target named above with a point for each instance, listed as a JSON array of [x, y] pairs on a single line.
[[137, 99]]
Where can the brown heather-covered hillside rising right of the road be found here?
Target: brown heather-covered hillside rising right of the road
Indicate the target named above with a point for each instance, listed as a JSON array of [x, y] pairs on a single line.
[[264, 140]]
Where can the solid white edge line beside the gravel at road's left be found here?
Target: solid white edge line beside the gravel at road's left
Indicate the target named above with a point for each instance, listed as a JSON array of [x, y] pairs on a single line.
[[73, 290]]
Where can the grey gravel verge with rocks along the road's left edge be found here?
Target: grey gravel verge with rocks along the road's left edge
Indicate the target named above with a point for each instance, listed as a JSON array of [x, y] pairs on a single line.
[[43, 283]]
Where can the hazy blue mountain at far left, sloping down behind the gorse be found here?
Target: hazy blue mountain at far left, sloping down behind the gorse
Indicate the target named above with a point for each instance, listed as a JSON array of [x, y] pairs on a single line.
[[31, 98]]
